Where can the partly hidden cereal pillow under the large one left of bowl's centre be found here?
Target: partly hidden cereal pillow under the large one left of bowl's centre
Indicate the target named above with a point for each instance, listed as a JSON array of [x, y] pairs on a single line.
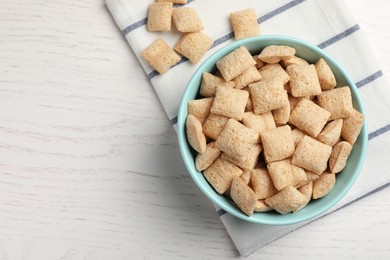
[[249, 161]]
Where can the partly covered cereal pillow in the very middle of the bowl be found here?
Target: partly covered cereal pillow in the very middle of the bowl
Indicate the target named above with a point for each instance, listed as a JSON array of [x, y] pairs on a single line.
[[259, 123]]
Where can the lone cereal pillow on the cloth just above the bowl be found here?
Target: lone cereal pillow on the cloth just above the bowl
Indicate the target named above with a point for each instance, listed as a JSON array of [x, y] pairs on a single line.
[[244, 23]]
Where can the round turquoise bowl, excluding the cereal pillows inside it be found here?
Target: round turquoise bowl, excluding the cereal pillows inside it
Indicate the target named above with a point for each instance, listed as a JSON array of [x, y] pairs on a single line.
[[345, 179]]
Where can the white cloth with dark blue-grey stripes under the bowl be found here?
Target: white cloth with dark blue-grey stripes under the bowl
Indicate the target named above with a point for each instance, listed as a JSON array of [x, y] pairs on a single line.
[[325, 23]]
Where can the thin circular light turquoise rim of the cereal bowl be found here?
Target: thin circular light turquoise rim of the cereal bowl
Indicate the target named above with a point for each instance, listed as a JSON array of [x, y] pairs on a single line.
[[210, 193]]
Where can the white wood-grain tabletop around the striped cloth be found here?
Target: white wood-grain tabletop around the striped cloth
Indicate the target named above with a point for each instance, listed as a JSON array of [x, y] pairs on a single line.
[[90, 166]]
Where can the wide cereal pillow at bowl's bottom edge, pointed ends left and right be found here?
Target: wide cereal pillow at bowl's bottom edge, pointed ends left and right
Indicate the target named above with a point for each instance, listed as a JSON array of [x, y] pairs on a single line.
[[287, 200]]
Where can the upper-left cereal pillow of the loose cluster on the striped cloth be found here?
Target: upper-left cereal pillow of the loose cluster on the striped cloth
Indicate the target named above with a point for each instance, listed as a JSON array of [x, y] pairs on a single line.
[[159, 17]]
